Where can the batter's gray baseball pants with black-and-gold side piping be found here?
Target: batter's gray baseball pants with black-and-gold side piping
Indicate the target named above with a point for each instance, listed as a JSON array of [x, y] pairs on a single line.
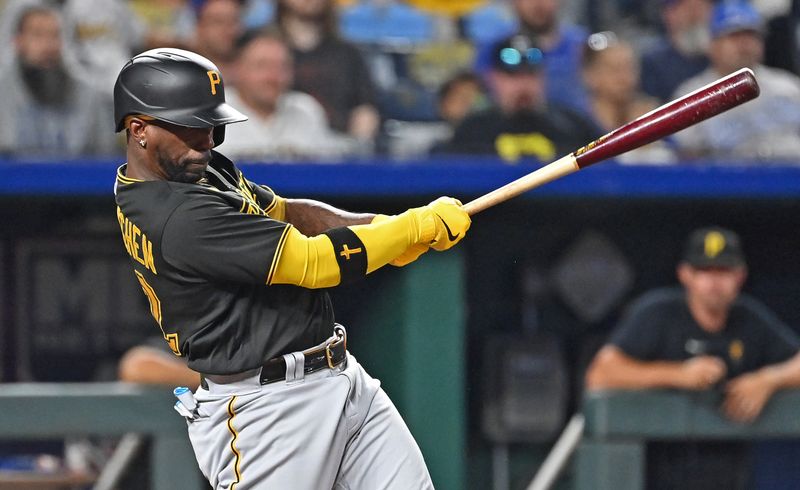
[[331, 429]]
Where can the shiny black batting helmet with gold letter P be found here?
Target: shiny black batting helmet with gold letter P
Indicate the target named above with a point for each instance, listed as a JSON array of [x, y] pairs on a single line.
[[175, 86]]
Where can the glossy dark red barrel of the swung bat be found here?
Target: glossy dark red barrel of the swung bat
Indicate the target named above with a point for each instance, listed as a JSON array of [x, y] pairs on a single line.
[[697, 106]]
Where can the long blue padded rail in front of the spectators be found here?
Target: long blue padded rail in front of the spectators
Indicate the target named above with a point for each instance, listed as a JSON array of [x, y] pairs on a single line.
[[460, 176]]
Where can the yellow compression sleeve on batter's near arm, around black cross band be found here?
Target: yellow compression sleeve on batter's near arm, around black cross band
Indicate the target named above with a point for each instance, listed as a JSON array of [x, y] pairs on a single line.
[[313, 262]]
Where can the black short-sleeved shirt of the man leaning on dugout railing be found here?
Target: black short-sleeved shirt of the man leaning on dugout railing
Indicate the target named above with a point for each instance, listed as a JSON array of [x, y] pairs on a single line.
[[659, 326]]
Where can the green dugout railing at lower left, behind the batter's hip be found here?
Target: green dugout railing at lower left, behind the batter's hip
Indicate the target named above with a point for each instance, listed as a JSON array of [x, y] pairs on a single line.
[[50, 410]]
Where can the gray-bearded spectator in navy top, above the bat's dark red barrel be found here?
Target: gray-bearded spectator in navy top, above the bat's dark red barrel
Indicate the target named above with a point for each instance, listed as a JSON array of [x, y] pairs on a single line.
[[681, 53]]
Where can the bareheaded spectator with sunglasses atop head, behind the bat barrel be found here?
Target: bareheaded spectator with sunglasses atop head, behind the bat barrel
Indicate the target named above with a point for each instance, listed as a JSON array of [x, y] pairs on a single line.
[[611, 75]]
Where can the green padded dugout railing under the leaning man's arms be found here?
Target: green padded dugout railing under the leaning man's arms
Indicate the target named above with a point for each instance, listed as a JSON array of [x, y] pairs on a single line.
[[619, 424]]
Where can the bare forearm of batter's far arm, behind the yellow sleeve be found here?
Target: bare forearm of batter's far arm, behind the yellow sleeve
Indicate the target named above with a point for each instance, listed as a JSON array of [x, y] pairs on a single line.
[[313, 217]]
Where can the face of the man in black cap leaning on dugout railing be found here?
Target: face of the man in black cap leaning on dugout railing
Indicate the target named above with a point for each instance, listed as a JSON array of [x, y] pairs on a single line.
[[714, 289]]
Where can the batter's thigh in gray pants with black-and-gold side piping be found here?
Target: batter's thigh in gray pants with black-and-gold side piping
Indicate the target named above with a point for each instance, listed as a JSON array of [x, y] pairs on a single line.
[[290, 438]]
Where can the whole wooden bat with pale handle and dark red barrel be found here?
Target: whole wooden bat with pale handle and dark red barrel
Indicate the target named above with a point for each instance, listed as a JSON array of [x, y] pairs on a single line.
[[705, 102]]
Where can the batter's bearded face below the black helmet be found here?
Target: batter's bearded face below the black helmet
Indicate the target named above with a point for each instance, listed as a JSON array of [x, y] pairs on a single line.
[[182, 154]]
